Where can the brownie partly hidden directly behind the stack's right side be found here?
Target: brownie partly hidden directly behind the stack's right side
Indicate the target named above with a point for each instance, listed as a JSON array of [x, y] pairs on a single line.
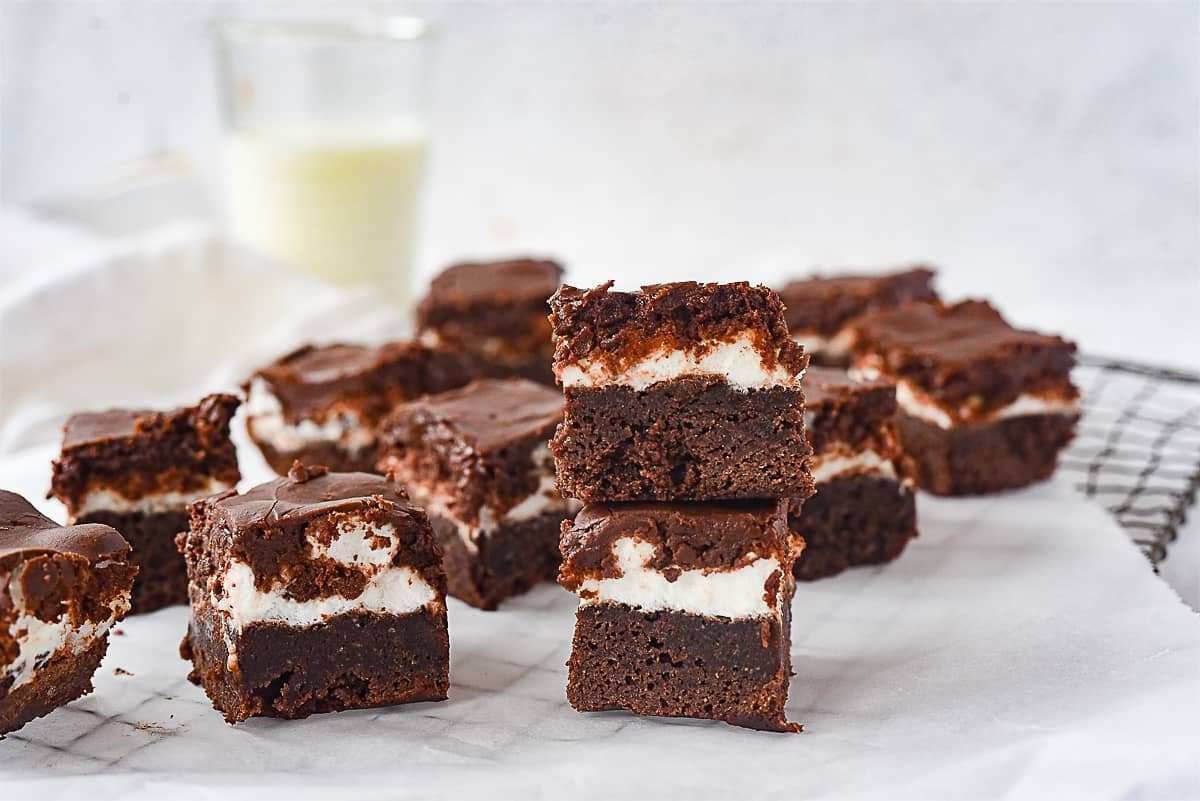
[[863, 511]]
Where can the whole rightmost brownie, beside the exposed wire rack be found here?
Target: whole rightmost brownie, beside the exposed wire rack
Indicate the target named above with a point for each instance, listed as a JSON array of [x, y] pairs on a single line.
[[985, 407]]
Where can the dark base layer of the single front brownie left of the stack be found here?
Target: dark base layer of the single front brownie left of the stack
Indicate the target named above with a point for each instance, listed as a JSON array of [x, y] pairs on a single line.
[[353, 661]]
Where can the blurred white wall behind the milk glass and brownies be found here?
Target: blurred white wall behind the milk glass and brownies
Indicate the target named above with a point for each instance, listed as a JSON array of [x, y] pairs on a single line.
[[1042, 154]]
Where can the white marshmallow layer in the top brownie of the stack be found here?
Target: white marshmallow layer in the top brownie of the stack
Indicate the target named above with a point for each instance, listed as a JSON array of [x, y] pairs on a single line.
[[737, 362]]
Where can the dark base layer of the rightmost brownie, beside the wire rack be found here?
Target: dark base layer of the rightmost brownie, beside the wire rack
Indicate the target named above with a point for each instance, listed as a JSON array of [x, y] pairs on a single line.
[[983, 459]]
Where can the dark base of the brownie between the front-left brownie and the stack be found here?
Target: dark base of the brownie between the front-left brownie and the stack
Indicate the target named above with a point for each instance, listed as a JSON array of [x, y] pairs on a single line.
[[507, 563]]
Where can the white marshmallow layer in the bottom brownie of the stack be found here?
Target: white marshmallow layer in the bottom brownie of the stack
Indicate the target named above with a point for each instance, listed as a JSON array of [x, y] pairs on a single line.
[[733, 593]]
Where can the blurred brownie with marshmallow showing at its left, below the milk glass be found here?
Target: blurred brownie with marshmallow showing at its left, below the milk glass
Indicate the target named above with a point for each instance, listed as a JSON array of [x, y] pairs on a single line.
[[322, 405]]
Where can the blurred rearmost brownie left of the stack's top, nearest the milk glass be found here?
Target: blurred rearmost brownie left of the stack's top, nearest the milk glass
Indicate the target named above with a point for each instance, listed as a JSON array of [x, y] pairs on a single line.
[[497, 312]]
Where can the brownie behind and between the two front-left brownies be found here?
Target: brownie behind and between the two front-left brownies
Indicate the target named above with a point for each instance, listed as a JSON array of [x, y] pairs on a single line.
[[137, 472]]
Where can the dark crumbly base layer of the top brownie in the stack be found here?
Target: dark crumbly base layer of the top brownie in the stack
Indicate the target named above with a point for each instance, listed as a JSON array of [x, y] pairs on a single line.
[[688, 439]]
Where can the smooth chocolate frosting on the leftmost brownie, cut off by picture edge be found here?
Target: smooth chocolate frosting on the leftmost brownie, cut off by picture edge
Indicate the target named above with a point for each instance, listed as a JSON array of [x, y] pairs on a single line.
[[26, 533]]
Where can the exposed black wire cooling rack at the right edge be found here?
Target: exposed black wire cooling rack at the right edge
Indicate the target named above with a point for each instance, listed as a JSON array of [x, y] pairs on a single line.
[[1138, 448]]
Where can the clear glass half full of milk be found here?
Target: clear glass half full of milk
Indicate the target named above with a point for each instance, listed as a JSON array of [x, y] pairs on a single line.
[[326, 128]]
